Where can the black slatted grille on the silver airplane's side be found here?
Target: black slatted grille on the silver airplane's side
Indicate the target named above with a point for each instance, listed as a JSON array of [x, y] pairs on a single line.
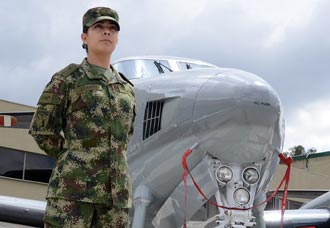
[[152, 118]]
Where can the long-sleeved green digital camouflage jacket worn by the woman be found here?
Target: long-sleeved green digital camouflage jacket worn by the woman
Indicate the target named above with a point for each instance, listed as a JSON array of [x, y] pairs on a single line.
[[85, 121]]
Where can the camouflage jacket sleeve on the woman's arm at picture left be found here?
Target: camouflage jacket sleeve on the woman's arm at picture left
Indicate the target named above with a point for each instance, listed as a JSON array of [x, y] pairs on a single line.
[[47, 122]]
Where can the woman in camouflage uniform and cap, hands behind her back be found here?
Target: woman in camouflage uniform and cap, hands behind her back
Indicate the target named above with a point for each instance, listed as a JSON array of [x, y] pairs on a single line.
[[84, 120]]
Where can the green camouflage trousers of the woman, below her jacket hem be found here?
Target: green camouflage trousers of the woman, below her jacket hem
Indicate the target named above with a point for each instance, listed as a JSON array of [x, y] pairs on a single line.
[[75, 214]]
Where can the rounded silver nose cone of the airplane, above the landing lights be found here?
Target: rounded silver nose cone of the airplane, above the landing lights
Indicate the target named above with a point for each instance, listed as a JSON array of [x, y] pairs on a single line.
[[236, 114]]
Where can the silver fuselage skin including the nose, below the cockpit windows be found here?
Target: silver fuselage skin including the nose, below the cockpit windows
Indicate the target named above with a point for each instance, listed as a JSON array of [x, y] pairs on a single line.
[[234, 115]]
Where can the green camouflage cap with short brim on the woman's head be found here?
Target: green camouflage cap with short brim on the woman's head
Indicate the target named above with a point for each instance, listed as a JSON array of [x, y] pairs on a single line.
[[96, 14]]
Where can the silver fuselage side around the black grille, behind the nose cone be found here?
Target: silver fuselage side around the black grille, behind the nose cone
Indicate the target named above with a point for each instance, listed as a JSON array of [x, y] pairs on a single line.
[[156, 160]]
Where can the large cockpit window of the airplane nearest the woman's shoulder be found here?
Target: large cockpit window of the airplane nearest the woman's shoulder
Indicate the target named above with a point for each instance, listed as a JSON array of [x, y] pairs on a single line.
[[142, 68]]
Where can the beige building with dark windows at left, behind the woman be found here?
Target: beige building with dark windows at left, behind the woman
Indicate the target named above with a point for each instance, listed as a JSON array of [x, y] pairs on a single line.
[[24, 168]]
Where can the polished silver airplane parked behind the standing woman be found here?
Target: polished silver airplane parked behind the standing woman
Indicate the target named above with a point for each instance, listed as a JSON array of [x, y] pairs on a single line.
[[226, 125]]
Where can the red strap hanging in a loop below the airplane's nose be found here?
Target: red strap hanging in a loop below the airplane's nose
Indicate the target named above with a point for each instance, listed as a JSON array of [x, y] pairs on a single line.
[[288, 161]]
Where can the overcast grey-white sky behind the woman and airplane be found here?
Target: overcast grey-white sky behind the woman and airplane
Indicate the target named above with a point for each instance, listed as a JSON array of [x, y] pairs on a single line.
[[287, 43]]
